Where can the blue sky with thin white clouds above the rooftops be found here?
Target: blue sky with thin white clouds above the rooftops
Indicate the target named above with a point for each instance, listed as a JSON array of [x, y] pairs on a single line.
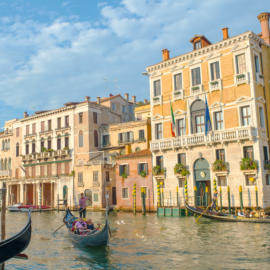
[[56, 51]]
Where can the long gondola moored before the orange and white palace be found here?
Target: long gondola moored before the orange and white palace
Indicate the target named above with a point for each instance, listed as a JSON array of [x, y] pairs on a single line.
[[224, 217]]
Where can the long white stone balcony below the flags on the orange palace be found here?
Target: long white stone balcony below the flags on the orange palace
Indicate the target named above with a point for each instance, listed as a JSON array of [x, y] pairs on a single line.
[[218, 136]]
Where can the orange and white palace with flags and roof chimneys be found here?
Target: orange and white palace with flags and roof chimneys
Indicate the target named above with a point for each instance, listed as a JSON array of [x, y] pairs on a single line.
[[230, 79]]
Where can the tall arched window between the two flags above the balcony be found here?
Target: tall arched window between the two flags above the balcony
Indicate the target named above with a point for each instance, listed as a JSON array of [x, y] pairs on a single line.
[[197, 112]]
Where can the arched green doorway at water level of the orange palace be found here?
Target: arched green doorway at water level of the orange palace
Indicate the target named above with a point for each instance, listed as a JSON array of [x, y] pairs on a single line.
[[202, 180]]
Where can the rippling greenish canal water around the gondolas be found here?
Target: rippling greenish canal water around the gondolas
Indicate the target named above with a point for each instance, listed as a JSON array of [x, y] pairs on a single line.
[[146, 242]]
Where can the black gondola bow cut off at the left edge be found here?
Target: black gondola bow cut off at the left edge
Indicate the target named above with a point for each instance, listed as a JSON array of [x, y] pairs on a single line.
[[14, 245]]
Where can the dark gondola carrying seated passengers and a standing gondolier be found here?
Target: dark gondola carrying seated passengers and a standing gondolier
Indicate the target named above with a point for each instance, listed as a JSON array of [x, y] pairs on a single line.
[[91, 239]]
